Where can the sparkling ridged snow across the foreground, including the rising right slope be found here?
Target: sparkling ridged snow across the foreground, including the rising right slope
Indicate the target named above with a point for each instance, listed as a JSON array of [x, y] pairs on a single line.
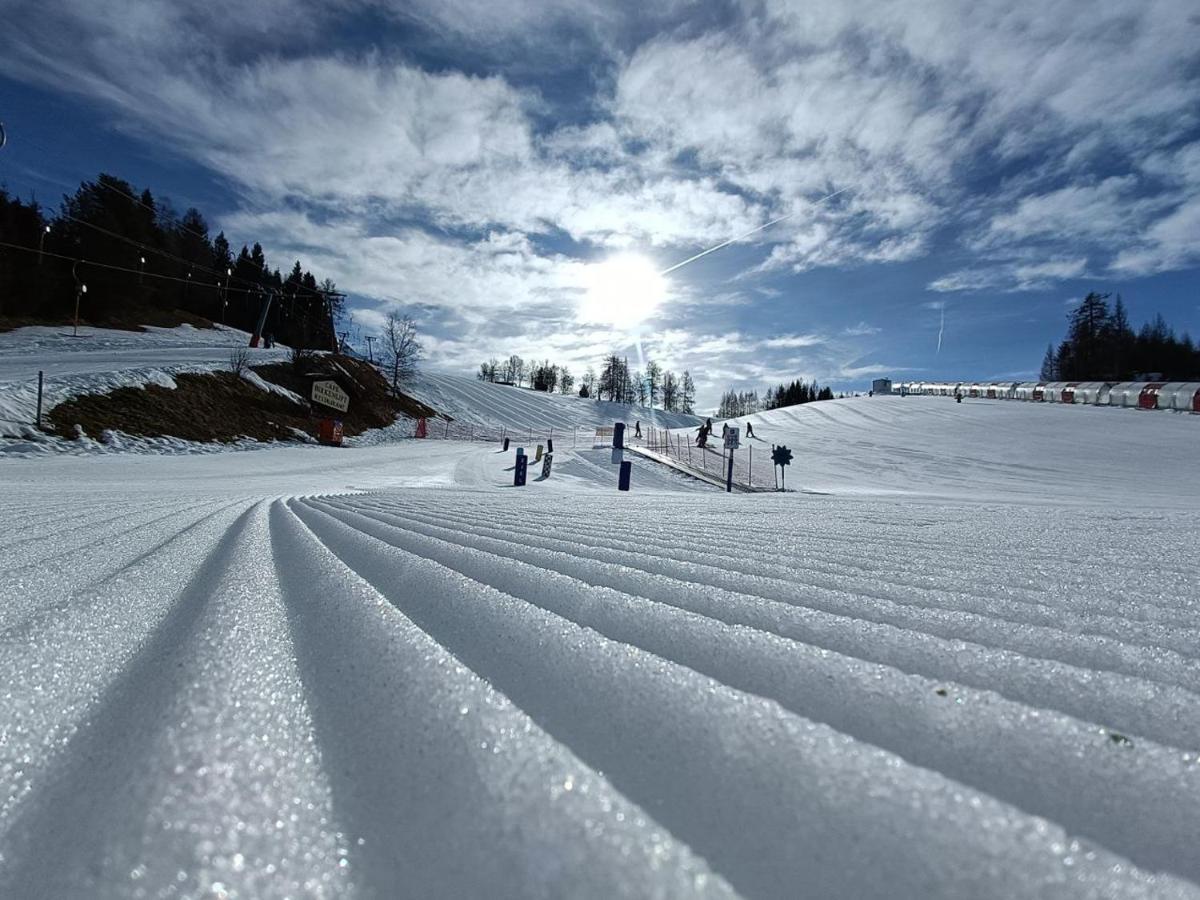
[[385, 673]]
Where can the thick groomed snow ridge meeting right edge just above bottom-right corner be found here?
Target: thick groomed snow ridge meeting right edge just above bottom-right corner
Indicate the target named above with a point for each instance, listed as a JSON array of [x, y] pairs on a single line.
[[974, 739]]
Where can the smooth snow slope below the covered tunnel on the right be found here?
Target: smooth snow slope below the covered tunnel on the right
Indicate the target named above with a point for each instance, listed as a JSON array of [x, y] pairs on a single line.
[[981, 449]]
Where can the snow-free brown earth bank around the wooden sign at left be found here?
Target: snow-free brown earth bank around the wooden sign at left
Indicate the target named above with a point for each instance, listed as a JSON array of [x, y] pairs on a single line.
[[224, 407]]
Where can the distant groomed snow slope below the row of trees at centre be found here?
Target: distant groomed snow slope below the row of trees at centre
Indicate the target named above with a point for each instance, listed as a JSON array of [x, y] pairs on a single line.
[[477, 403]]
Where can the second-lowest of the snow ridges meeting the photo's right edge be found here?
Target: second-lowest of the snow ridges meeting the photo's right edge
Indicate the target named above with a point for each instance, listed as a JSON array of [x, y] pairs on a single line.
[[1113, 700]]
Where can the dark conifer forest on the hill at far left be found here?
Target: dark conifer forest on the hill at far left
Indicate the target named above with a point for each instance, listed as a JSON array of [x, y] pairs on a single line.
[[145, 265]]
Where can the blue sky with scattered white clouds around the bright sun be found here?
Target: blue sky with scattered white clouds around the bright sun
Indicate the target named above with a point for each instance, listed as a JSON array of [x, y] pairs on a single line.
[[469, 161]]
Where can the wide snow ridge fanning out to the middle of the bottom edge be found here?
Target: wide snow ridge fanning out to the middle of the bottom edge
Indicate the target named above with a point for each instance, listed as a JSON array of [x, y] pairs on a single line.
[[537, 833]]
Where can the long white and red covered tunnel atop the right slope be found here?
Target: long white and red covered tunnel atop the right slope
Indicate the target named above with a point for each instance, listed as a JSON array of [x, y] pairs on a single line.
[[1184, 397]]
